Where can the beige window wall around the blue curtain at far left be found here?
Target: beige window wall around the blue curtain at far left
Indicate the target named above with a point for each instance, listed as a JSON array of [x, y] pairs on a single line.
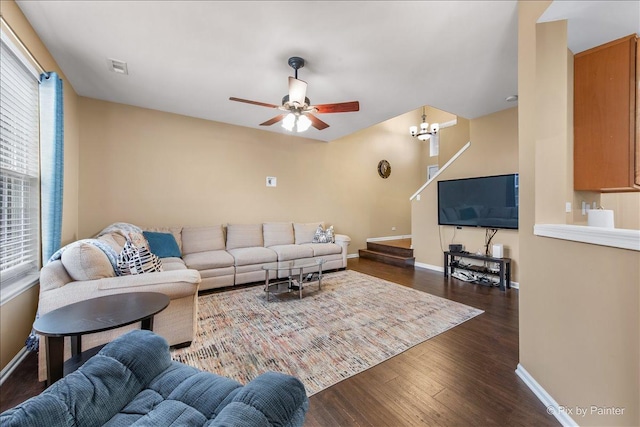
[[18, 314]]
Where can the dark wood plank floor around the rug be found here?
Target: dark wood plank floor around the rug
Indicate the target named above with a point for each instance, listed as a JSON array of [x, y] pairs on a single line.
[[462, 377]]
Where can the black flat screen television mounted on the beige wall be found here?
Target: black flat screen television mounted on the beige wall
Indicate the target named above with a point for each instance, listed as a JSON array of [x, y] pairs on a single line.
[[486, 201]]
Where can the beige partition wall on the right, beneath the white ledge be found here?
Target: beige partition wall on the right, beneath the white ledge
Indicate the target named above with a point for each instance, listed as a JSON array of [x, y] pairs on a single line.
[[579, 303]]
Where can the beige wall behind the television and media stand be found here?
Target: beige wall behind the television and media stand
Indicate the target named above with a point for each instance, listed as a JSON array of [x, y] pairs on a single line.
[[493, 151]]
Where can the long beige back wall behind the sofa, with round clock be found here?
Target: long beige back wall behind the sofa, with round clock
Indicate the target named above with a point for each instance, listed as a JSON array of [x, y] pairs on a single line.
[[152, 168]]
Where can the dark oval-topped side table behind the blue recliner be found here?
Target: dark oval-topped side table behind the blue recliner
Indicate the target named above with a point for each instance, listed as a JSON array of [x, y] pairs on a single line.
[[90, 316]]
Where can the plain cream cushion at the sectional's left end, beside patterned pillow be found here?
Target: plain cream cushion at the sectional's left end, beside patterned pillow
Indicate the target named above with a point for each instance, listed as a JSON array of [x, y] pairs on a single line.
[[85, 261]]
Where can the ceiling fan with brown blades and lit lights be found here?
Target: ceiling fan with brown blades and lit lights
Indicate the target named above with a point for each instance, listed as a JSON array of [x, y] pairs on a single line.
[[297, 107]]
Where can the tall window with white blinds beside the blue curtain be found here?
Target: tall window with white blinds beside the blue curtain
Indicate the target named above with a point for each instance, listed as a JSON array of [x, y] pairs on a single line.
[[19, 170]]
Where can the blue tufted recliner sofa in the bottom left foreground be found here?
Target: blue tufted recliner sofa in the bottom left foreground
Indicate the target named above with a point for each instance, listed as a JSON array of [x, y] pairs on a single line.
[[133, 381]]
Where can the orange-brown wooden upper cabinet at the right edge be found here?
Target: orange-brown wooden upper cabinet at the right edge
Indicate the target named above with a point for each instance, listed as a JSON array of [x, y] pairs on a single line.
[[606, 151]]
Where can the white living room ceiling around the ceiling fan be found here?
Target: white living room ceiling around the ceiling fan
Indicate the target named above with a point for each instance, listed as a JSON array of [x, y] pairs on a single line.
[[189, 57]]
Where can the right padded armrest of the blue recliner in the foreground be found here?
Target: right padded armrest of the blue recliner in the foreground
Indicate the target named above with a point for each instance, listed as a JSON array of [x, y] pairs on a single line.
[[269, 399]]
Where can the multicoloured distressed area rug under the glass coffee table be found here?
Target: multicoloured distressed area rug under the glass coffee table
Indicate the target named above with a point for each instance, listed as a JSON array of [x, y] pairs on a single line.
[[354, 322]]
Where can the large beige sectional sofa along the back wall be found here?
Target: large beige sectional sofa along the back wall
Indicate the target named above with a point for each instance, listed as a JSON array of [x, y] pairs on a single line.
[[210, 257]]
